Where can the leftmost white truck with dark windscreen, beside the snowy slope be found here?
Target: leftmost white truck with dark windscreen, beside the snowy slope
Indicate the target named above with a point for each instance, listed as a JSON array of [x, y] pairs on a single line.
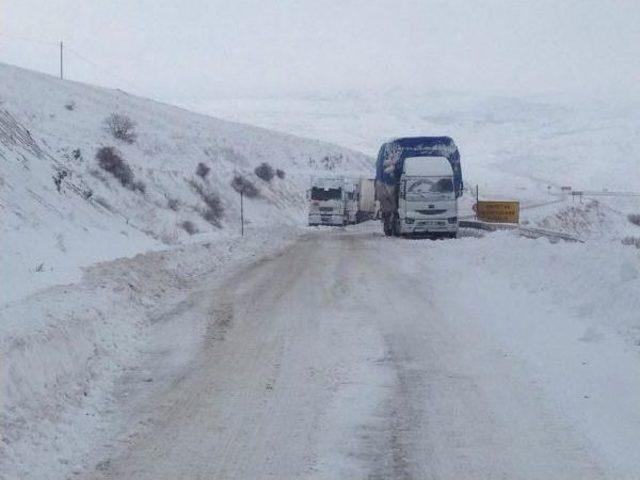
[[327, 201]]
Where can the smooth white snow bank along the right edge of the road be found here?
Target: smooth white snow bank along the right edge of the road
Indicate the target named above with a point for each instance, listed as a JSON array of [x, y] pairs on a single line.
[[568, 312]]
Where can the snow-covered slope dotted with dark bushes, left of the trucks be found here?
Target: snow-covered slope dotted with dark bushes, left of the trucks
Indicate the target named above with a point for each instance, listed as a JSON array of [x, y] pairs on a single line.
[[51, 130]]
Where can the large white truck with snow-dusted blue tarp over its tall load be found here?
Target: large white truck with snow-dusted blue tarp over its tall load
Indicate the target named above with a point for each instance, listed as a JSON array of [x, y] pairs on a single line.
[[418, 182]]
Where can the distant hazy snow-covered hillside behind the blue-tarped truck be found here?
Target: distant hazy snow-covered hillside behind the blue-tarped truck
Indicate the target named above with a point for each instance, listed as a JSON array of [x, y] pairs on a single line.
[[509, 146]]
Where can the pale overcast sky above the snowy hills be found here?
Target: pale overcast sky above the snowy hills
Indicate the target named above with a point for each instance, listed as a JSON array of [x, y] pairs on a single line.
[[190, 49]]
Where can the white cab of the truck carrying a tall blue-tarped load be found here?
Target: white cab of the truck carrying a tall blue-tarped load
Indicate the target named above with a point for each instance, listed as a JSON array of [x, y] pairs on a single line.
[[427, 202]]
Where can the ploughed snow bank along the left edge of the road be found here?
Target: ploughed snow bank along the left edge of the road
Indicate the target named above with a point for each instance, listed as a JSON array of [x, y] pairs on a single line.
[[63, 348]]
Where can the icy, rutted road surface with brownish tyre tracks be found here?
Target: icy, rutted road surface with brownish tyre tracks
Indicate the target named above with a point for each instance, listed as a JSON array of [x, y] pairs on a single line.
[[332, 361]]
